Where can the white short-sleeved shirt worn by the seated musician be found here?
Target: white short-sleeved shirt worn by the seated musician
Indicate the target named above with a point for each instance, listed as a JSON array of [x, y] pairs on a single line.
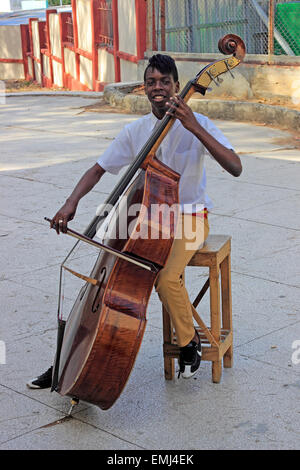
[[180, 150]]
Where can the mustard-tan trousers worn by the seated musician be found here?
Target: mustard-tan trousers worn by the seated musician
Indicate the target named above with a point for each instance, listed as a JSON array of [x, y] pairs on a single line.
[[191, 233]]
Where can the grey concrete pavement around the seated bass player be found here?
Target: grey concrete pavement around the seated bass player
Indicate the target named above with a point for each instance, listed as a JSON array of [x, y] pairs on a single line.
[[46, 145]]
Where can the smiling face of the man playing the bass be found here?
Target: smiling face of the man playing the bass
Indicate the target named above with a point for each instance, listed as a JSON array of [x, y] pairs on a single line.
[[159, 87]]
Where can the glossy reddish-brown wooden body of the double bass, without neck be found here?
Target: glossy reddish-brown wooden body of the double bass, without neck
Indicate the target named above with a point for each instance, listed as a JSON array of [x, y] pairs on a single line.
[[106, 325]]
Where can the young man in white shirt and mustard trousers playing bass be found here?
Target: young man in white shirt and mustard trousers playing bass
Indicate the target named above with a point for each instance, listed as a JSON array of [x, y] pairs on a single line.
[[191, 137]]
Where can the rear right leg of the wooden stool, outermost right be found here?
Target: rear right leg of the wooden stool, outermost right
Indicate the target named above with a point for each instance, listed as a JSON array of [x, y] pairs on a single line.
[[227, 306]]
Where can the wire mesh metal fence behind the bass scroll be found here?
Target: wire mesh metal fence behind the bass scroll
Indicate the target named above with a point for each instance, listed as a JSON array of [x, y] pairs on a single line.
[[266, 26]]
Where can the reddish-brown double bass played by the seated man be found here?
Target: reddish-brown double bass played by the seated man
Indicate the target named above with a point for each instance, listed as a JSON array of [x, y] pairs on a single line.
[[98, 344]]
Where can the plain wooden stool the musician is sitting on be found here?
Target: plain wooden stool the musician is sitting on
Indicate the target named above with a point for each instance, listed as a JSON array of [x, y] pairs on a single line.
[[216, 339]]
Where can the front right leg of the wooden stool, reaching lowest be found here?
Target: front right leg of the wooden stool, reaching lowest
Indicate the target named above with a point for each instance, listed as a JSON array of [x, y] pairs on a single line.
[[214, 275]]
